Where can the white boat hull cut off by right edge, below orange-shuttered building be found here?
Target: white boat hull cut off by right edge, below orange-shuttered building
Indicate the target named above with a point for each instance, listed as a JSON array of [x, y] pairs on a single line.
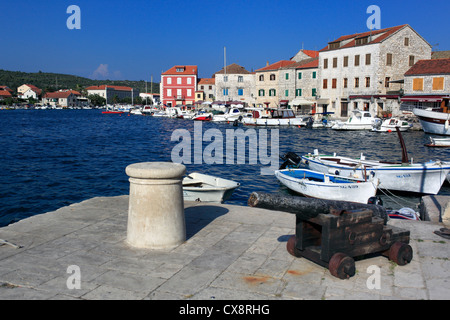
[[433, 121]]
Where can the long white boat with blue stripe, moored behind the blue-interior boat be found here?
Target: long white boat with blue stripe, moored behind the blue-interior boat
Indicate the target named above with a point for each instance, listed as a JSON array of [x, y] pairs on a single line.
[[423, 178]]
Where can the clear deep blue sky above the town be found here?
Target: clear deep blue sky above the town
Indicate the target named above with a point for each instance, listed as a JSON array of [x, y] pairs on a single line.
[[137, 39]]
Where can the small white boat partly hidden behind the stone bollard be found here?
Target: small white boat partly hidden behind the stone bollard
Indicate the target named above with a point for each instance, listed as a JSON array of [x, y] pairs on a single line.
[[206, 188]]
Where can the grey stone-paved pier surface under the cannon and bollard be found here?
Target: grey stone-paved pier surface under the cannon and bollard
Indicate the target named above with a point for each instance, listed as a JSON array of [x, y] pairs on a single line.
[[231, 252]]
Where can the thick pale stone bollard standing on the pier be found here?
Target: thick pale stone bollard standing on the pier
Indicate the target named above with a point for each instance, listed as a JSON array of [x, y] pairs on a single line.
[[156, 208]]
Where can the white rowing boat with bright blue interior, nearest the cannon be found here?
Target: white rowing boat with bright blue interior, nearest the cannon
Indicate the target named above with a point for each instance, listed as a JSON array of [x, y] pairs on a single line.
[[325, 186]]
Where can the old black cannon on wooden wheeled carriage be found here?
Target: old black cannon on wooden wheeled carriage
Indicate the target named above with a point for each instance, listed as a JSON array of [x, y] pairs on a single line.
[[332, 238]]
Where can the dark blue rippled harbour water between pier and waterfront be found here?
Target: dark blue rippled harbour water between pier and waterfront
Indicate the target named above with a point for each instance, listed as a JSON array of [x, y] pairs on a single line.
[[53, 158]]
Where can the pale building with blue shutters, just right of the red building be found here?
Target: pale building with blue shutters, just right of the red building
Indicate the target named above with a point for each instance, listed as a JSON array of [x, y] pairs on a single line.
[[235, 83]]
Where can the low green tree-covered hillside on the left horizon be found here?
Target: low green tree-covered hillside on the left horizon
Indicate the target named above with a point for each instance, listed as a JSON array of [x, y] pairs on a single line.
[[55, 81]]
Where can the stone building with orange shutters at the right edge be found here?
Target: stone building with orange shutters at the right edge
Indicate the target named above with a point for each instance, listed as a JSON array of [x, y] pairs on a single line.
[[427, 85]]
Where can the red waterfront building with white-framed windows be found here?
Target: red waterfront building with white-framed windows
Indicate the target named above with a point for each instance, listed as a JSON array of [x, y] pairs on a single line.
[[178, 85]]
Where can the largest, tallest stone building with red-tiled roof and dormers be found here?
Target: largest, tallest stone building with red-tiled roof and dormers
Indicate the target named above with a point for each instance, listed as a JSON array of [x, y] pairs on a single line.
[[366, 70]]
